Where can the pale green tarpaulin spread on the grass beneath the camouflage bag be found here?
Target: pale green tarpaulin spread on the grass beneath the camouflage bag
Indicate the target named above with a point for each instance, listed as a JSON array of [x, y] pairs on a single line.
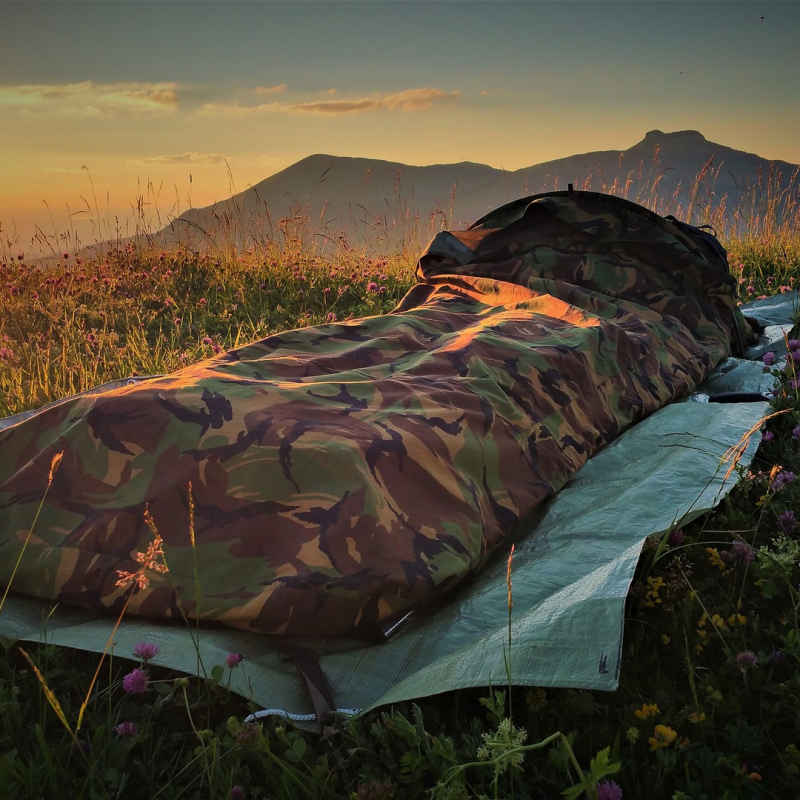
[[571, 573]]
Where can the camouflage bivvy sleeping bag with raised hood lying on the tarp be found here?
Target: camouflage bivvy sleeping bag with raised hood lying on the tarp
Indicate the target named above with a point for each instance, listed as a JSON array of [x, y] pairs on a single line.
[[346, 473]]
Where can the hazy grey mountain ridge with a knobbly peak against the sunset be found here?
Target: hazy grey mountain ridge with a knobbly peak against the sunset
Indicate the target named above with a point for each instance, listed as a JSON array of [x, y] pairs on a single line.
[[386, 203]]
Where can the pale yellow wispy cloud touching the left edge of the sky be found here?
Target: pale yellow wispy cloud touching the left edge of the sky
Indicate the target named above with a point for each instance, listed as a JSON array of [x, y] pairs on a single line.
[[89, 95]]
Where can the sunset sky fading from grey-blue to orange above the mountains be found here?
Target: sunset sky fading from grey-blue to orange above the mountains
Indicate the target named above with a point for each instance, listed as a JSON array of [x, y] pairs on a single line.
[[112, 109]]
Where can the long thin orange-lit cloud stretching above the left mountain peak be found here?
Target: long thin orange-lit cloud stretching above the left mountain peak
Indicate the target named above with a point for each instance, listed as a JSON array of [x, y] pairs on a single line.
[[407, 100]]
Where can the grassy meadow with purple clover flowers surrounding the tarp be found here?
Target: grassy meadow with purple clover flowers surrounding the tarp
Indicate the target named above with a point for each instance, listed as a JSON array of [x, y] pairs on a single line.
[[709, 699]]
